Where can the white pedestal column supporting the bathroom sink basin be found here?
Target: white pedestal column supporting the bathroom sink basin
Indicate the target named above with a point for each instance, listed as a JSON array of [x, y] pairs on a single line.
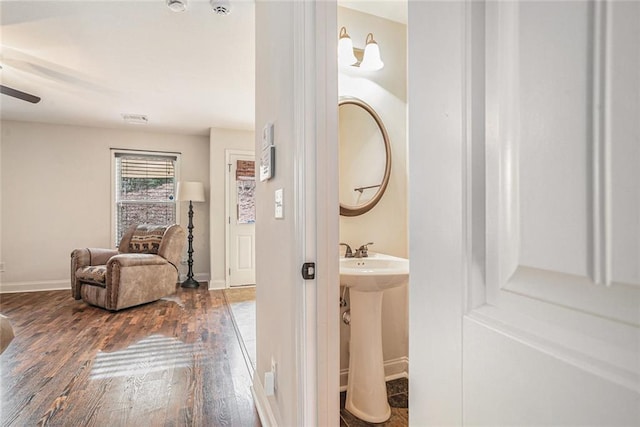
[[366, 387]]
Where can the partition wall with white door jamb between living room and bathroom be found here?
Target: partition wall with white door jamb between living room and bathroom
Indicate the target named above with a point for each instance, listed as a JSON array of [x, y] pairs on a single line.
[[296, 90]]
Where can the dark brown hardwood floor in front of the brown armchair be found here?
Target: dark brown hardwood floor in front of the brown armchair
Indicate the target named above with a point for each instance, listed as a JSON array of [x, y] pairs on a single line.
[[174, 362]]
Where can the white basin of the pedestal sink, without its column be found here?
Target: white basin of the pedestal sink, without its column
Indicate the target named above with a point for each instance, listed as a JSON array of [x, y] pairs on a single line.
[[374, 273]]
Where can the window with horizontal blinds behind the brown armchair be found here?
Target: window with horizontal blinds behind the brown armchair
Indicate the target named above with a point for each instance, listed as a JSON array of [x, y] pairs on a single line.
[[145, 187]]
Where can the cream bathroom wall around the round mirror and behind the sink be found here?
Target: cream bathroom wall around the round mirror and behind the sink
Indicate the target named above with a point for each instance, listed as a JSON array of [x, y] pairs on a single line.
[[386, 223]]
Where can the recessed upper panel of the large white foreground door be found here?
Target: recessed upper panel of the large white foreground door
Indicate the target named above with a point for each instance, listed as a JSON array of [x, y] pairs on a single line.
[[551, 205]]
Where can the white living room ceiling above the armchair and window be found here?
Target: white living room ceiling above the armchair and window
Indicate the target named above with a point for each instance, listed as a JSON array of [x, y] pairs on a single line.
[[93, 61]]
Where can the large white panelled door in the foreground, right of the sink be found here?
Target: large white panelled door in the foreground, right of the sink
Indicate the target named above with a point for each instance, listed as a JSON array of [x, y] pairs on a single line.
[[525, 213]]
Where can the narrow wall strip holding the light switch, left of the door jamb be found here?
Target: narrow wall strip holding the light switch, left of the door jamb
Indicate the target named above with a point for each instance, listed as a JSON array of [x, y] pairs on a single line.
[[277, 272]]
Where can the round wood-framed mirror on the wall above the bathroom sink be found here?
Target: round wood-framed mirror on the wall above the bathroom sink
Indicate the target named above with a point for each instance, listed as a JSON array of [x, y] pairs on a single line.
[[365, 157]]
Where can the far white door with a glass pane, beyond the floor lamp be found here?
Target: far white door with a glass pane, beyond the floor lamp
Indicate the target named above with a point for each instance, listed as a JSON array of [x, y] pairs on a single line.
[[241, 216]]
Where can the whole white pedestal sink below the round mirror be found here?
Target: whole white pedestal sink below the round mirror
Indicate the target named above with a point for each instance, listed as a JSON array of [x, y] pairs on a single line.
[[367, 279]]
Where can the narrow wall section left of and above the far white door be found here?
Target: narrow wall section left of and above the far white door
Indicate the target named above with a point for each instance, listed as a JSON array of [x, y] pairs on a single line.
[[221, 140]]
